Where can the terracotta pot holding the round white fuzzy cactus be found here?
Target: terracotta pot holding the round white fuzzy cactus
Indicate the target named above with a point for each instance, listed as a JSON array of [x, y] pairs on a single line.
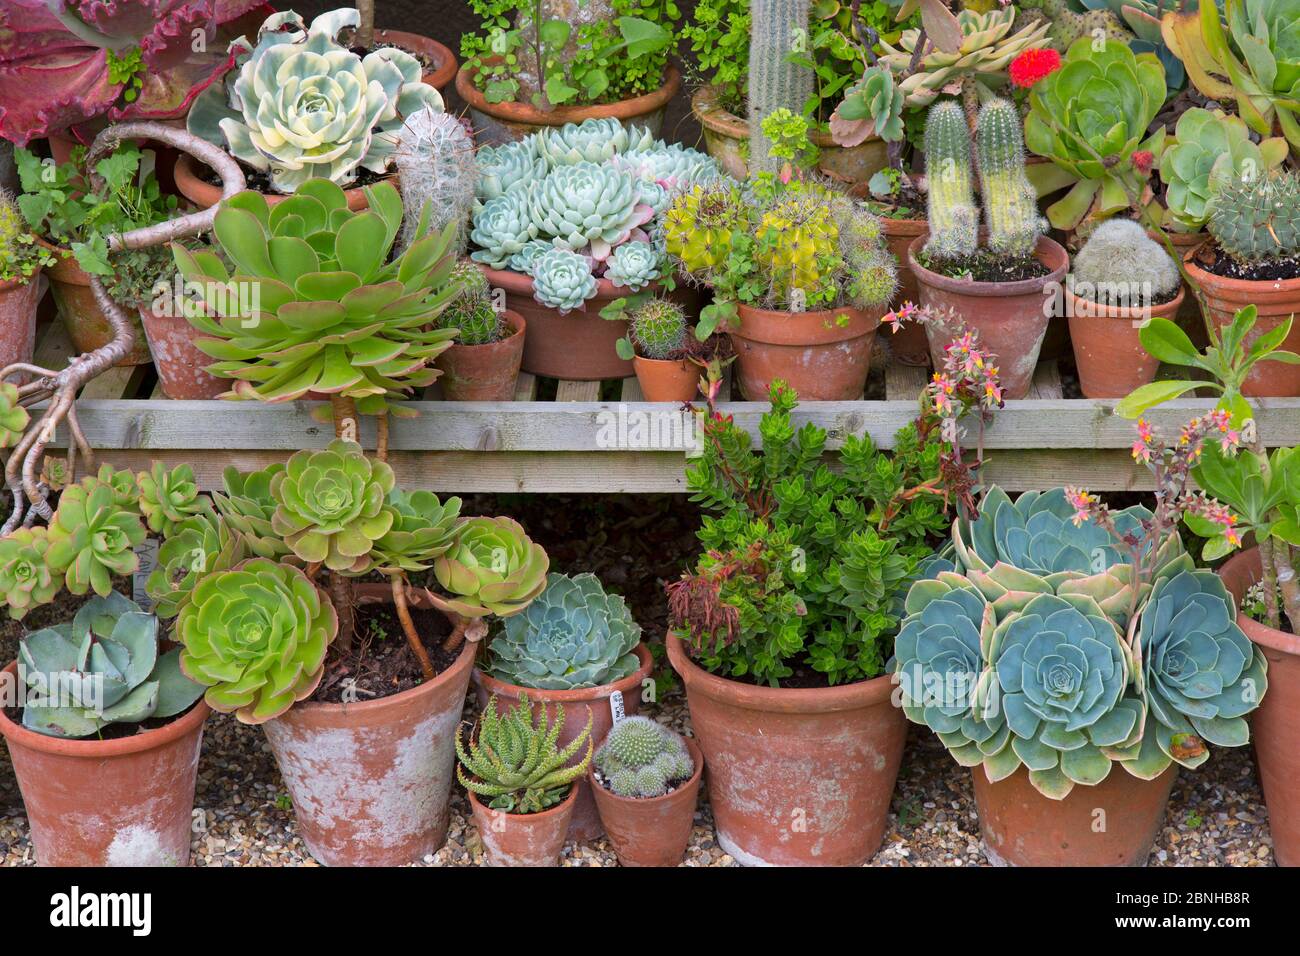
[[1110, 356]]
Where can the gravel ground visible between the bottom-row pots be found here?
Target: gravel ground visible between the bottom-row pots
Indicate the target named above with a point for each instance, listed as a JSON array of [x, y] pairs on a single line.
[[1216, 816]]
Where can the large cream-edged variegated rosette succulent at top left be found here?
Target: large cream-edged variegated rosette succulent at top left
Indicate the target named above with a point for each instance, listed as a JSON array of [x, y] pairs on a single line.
[[301, 106]]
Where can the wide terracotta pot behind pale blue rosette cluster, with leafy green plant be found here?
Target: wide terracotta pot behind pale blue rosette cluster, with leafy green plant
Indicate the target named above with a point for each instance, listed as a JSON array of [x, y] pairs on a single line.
[[506, 123]]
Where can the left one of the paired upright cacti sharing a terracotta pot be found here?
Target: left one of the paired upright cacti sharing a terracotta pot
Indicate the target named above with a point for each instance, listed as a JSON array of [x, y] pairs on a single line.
[[954, 218]]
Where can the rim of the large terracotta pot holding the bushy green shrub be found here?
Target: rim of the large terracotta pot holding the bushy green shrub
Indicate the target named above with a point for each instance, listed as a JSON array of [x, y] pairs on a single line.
[[779, 700]]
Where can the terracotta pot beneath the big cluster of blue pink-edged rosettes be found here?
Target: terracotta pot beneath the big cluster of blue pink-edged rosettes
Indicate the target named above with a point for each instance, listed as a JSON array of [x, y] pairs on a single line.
[[1022, 828]]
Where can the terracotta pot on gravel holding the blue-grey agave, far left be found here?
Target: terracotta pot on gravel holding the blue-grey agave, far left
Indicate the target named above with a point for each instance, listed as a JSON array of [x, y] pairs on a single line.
[[109, 803]]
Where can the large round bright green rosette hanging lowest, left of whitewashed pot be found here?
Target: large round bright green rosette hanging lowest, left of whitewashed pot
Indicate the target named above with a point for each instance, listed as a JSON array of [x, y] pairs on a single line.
[[257, 638]]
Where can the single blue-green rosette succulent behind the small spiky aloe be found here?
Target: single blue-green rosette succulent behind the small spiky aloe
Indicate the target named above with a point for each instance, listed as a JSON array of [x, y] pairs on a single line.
[[573, 637]]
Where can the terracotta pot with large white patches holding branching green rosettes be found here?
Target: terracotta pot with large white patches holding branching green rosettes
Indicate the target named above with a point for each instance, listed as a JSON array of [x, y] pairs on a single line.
[[371, 781]]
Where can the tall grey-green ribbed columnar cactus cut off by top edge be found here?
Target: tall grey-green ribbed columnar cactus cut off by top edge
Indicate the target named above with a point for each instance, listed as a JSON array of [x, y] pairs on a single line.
[[778, 28]]
